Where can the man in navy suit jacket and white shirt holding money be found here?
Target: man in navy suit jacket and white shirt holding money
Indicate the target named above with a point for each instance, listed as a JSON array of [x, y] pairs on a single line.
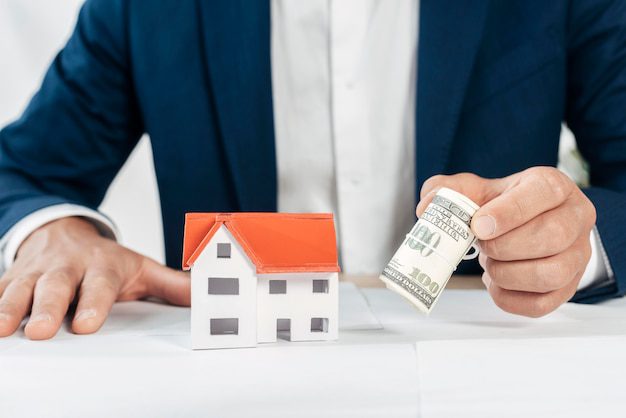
[[355, 107]]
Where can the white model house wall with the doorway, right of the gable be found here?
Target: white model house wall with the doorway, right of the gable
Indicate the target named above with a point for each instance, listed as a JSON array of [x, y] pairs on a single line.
[[299, 304]]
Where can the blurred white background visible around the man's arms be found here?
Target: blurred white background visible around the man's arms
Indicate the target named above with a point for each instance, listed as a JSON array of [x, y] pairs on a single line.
[[31, 33]]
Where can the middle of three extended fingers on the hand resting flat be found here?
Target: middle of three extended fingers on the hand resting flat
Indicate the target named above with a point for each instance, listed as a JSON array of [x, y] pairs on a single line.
[[54, 291]]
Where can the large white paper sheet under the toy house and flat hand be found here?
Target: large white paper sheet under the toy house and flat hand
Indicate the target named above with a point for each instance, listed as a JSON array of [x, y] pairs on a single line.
[[140, 364]]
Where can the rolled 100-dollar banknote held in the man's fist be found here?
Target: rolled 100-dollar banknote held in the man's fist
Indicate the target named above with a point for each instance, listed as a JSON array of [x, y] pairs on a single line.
[[431, 251]]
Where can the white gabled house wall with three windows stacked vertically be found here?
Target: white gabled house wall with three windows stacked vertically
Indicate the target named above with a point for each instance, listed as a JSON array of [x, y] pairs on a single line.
[[206, 307]]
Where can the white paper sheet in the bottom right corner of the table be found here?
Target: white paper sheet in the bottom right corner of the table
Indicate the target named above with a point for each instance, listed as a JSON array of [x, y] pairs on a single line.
[[549, 377]]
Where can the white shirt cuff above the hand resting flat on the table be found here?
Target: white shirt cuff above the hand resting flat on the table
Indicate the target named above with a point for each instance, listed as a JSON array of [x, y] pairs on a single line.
[[11, 241]]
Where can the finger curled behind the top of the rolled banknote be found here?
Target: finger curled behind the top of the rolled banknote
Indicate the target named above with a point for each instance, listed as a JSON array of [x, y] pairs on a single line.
[[479, 189]]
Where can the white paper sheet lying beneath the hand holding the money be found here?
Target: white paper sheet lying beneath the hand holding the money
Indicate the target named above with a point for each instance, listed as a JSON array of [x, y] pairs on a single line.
[[471, 314]]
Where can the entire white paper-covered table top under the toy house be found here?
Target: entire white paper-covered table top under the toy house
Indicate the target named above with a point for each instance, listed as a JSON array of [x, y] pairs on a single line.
[[468, 358]]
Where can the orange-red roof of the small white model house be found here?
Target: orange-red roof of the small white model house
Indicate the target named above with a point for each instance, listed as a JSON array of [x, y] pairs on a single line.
[[275, 242]]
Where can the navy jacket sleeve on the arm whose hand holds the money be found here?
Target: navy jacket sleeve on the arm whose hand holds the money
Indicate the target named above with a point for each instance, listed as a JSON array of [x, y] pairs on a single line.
[[596, 113]]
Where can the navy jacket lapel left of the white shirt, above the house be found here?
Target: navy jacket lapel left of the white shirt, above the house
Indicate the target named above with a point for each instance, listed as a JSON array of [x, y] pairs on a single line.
[[236, 35]]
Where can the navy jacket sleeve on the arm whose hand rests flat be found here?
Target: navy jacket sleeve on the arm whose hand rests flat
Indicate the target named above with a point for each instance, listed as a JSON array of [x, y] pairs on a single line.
[[81, 125]]
